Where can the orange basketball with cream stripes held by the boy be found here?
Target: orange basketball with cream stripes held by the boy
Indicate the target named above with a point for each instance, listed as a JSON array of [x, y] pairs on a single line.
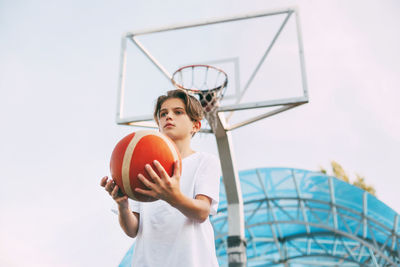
[[133, 152]]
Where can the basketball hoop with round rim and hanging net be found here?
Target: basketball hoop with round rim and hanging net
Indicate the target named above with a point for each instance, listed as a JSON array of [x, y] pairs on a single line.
[[206, 82]]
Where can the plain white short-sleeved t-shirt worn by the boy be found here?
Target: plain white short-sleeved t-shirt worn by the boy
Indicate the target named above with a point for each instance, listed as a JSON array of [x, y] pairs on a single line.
[[165, 236]]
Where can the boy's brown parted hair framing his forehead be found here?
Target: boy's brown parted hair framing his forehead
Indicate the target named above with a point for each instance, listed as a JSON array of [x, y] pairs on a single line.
[[193, 107]]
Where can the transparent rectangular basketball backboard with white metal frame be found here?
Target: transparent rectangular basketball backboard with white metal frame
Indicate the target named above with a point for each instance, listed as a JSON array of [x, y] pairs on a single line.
[[262, 54]]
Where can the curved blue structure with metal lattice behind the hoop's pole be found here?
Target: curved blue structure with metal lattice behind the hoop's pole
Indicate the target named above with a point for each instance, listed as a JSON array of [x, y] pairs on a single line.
[[296, 217]]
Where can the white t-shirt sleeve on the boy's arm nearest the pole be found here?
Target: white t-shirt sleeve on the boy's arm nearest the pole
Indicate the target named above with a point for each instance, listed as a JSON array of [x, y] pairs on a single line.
[[208, 179]]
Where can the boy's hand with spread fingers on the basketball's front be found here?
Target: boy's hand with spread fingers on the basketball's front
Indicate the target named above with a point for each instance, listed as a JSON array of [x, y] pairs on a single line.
[[164, 187]]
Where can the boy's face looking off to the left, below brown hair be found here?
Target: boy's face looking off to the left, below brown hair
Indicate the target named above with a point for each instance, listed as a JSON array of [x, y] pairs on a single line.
[[174, 121]]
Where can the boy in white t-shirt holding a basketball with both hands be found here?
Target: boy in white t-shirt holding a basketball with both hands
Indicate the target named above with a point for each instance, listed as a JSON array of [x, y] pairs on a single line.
[[174, 230]]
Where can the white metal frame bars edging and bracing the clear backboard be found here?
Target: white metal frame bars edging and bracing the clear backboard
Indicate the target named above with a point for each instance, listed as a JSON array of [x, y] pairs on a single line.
[[277, 105]]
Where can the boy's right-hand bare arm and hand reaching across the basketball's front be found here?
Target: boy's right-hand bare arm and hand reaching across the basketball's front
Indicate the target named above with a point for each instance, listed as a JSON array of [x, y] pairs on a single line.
[[167, 189]]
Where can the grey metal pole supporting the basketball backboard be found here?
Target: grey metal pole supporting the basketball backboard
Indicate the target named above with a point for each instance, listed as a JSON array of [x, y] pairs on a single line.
[[236, 240]]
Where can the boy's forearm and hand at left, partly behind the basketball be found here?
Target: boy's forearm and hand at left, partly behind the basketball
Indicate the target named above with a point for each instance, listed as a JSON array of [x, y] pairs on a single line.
[[128, 220]]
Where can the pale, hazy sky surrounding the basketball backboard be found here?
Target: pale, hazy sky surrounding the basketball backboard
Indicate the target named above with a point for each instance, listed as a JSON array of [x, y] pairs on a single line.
[[59, 64]]
